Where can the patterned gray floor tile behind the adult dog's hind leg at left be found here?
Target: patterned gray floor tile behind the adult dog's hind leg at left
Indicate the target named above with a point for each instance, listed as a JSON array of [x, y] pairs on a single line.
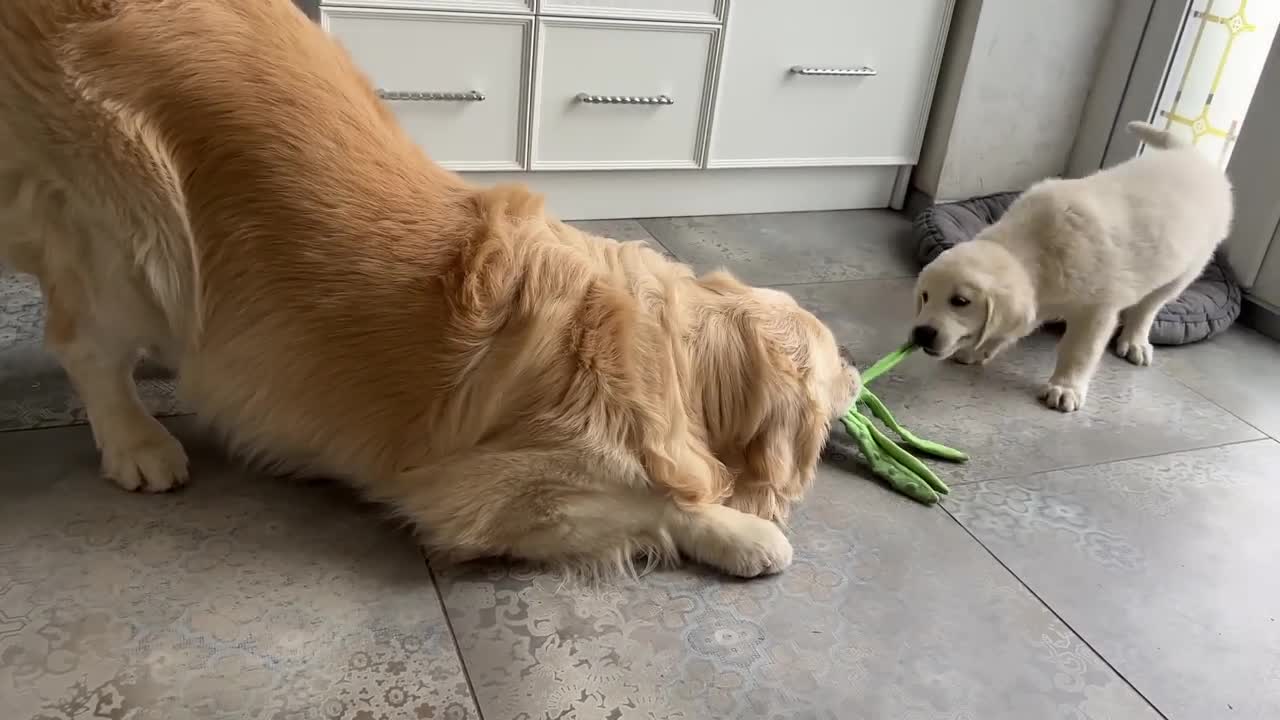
[[34, 390]]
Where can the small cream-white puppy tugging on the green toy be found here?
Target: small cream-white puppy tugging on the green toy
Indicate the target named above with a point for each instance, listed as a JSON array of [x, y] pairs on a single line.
[[1112, 248]]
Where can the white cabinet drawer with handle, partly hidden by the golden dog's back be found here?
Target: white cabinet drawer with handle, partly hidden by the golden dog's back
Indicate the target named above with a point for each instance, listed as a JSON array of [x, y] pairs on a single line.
[[458, 83]]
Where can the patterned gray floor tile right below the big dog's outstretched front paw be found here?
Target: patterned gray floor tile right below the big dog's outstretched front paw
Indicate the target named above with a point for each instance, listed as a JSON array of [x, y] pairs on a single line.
[[890, 612]]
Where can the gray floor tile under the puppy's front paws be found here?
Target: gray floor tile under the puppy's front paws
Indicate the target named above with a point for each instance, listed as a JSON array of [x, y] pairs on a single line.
[[994, 413]]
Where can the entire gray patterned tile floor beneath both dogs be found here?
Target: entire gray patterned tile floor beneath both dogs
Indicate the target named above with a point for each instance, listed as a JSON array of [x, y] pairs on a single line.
[[1114, 564]]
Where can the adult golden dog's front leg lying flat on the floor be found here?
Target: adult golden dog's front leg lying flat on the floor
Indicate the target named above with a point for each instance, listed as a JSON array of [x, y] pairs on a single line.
[[561, 511]]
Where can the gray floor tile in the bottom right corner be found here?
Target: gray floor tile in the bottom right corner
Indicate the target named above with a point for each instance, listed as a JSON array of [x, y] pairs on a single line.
[[1165, 566]]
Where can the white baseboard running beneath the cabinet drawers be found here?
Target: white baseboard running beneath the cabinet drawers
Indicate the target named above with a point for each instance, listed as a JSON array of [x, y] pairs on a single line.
[[597, 195]]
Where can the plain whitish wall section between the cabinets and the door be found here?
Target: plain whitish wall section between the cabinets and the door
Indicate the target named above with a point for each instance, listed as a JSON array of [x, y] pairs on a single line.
[[1014, 83]]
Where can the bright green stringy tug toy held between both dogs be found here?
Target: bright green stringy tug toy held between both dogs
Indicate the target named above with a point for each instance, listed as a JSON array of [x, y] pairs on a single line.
[[890, 461]]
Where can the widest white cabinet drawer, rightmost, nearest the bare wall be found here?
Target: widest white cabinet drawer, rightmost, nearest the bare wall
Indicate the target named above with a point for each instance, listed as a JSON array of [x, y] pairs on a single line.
[[828, 83]]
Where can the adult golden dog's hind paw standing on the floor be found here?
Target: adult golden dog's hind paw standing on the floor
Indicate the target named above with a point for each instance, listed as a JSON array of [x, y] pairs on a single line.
[[145, 459]]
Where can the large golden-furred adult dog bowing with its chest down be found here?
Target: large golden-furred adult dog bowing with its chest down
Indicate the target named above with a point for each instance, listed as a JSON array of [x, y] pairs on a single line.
[[216, 183]]
